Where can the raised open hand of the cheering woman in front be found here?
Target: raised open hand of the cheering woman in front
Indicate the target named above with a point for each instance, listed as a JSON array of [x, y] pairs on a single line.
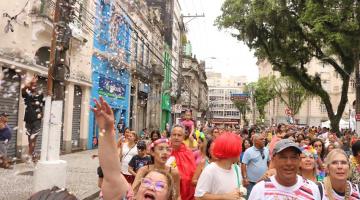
[[104, 115]]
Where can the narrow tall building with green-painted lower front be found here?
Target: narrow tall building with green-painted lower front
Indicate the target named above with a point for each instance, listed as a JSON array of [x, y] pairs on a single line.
[[173, 30]]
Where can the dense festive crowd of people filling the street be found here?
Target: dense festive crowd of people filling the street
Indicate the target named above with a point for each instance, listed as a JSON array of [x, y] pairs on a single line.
[[278, 162]]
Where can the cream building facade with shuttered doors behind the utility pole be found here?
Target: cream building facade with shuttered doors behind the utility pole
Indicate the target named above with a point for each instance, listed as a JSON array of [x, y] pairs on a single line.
[[25, 50]]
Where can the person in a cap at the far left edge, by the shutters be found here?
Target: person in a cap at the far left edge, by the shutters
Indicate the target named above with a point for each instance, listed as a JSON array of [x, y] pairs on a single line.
[[5, 137]]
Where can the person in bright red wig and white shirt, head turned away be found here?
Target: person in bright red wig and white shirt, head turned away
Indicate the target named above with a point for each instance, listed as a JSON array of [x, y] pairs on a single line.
[[222, 178]]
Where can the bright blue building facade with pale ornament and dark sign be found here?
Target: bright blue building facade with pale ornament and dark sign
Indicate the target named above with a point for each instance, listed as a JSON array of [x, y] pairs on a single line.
[[111, 64]]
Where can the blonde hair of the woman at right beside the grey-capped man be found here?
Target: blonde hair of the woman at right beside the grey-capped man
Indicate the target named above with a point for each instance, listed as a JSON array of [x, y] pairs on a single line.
[[327, 181]]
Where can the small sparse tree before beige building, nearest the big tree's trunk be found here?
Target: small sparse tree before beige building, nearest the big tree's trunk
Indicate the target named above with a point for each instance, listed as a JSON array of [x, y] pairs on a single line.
[[291, 93]]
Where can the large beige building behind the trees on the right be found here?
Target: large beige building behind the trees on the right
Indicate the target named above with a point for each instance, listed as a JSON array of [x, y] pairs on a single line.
[[312, 112]]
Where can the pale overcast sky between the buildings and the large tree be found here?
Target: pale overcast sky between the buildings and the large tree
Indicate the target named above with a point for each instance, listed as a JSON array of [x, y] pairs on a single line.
[[222, 52]]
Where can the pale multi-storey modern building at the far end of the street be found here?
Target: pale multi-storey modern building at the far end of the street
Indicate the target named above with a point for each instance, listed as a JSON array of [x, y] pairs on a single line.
[[222, 111]]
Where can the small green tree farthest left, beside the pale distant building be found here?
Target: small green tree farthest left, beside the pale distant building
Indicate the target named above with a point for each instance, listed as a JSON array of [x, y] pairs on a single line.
[[263, 93]]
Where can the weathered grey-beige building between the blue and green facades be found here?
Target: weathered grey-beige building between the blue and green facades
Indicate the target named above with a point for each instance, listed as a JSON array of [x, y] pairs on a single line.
[[147, 45]]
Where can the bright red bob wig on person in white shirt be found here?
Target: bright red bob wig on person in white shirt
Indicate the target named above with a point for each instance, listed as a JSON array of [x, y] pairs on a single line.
[[227, 145]]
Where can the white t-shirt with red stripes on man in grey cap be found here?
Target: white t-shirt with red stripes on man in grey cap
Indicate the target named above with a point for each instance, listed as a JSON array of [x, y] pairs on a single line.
[[270, 190]]
